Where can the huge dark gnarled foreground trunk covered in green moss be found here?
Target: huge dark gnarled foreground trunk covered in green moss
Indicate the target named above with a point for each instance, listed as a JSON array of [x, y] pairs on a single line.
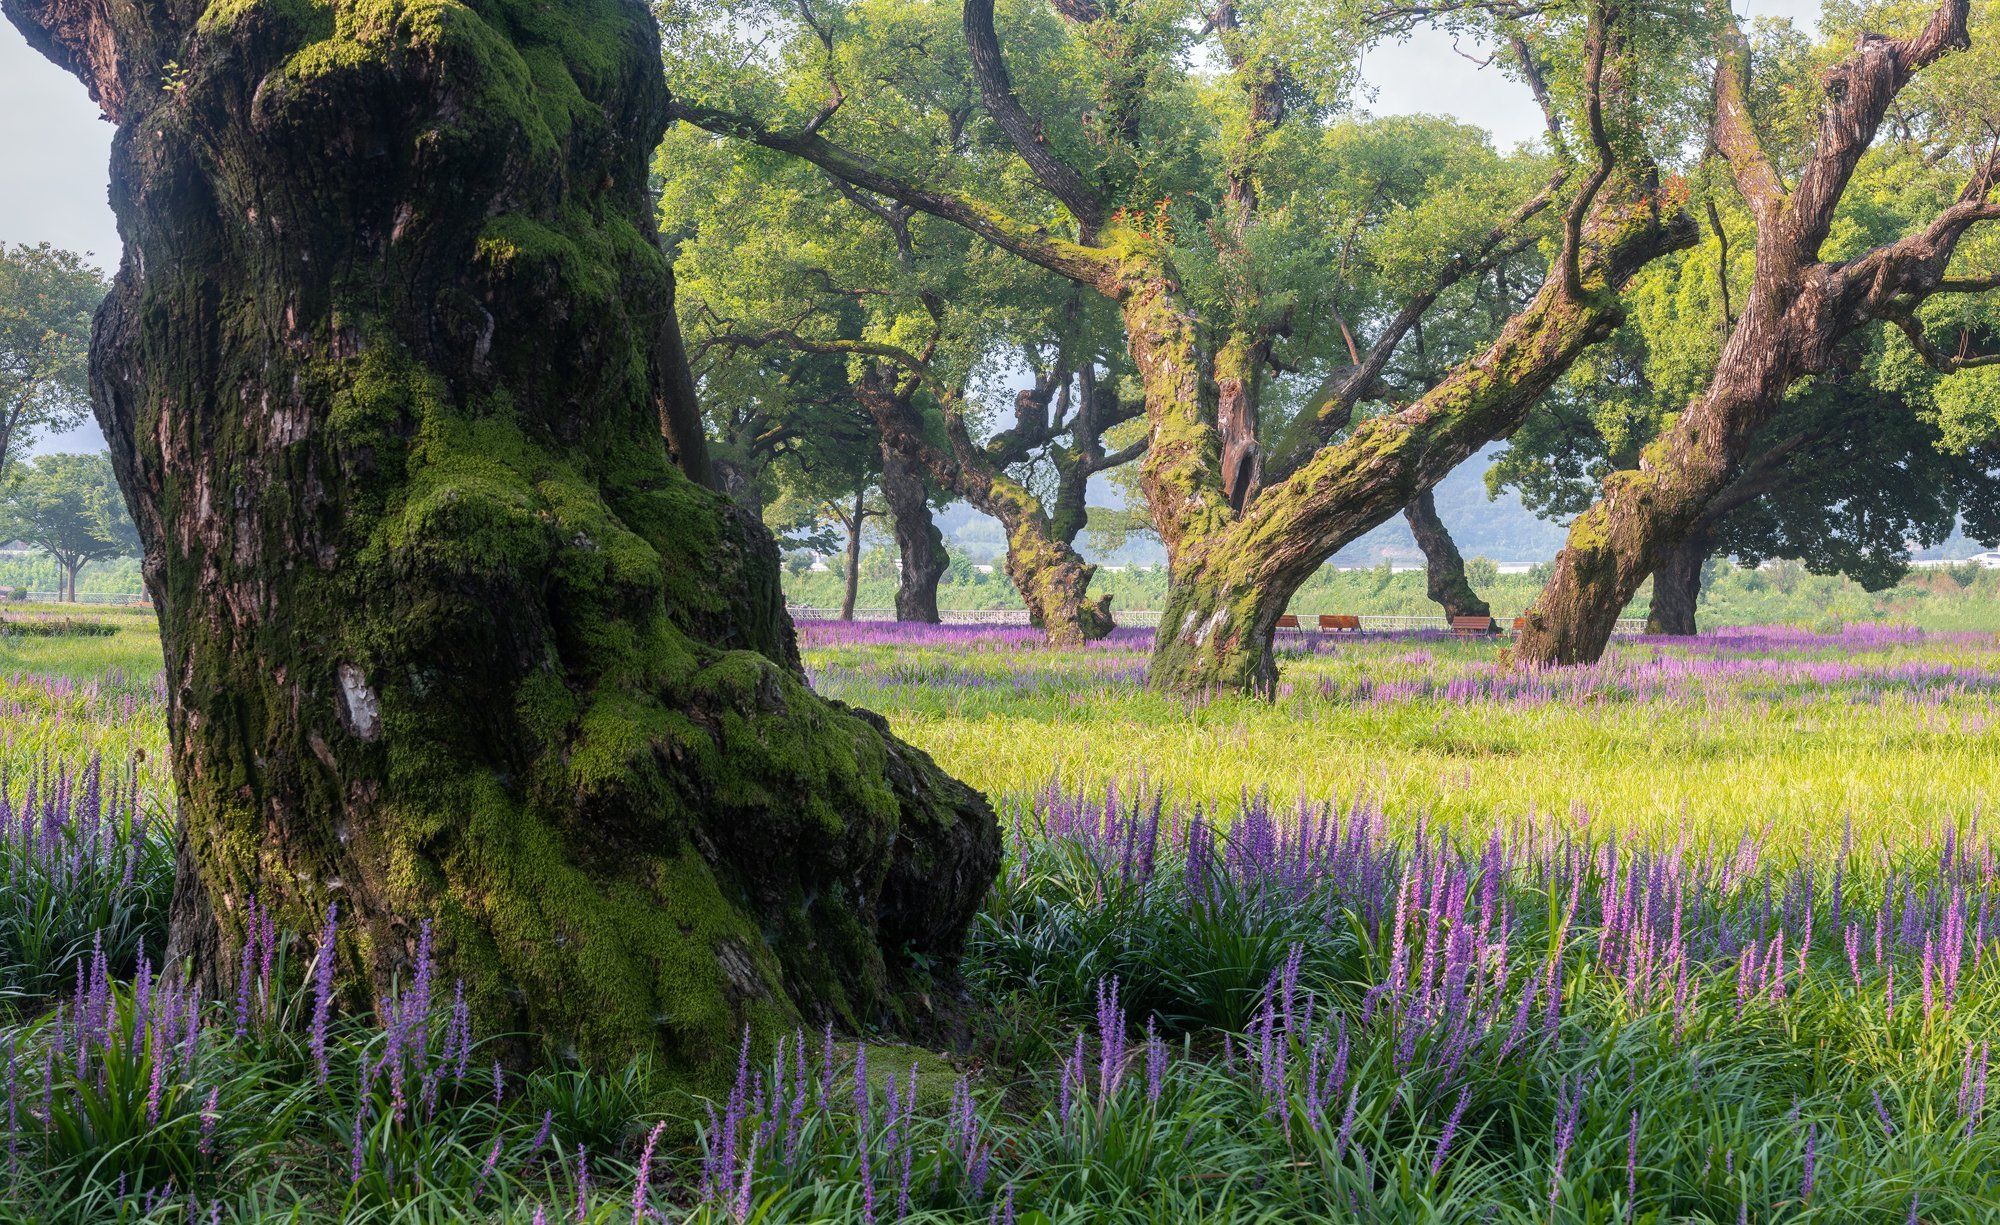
[[449, 638]]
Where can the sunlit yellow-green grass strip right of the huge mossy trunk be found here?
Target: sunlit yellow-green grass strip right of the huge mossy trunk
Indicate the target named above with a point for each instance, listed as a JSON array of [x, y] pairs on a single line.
[[1717, 760]]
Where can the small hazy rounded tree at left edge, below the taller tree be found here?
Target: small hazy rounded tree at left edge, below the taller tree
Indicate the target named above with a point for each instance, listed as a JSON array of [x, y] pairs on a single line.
[[71, 509]]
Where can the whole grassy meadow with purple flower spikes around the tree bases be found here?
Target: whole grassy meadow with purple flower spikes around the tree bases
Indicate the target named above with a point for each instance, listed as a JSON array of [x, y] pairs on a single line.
[[1691, 936]]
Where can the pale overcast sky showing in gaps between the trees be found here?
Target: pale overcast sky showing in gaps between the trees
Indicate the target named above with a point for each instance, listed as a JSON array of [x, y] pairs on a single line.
[[55, 147]]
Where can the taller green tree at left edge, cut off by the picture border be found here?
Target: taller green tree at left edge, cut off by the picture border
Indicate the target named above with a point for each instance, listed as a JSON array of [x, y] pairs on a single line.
[[47, 299]]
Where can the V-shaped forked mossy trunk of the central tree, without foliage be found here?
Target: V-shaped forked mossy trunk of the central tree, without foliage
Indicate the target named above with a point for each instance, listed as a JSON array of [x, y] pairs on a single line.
[[1233, 575]]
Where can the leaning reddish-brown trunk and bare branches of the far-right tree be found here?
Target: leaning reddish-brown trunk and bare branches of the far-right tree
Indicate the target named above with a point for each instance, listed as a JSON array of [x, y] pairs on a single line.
[[1793, 321]]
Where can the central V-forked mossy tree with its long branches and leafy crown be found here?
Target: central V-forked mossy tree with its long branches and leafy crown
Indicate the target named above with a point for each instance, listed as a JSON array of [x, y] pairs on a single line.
[[1173, 223]]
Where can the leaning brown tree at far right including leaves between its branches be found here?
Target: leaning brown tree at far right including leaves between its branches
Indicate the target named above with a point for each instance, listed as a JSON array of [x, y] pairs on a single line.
[[1827, 265]]
